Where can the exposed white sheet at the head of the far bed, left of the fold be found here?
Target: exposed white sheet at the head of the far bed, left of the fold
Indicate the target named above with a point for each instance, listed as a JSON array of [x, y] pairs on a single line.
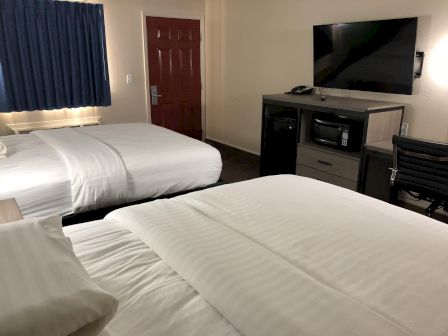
[[35, 176]]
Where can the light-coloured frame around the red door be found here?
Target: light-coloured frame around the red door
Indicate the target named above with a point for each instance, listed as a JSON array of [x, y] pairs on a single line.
[[144, 14]]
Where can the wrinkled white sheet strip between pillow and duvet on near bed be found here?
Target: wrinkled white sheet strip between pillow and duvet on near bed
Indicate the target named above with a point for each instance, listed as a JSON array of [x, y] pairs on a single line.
[[153, 299]]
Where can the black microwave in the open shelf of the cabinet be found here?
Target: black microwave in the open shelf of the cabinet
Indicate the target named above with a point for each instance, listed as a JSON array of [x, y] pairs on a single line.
[[338, 132]]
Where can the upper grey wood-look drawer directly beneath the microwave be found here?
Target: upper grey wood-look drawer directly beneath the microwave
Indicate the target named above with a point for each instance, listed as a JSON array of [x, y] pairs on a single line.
[[330, 163]]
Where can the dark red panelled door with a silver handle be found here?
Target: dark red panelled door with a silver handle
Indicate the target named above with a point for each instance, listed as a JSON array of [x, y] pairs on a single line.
[[175, 74]]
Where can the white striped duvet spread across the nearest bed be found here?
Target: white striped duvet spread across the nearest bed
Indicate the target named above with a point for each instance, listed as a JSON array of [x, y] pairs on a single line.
[[287, 255]]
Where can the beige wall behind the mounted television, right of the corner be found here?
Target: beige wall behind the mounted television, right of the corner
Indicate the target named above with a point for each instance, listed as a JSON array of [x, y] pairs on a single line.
[[259, 47]]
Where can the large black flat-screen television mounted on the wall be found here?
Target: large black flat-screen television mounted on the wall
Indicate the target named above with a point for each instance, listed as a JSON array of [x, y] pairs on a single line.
[[368, 56]]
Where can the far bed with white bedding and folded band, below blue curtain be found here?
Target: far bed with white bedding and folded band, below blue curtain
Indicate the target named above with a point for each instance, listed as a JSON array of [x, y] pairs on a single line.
[[68, 171]]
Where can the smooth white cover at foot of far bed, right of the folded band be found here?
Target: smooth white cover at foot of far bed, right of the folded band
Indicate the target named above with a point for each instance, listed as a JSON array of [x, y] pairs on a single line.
[[160, 161]]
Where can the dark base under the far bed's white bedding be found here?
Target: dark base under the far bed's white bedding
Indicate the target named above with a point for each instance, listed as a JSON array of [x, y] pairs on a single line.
[[101, 213]]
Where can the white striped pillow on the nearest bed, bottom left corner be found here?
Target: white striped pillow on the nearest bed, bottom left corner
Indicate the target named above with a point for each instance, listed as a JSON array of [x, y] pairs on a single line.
[[44, 289]]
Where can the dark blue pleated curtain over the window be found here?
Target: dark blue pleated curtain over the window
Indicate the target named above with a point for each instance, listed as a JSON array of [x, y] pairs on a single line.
[[52, 55]]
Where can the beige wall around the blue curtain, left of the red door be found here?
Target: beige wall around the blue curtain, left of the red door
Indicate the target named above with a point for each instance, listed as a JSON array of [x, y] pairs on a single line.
[[124, 35]]
